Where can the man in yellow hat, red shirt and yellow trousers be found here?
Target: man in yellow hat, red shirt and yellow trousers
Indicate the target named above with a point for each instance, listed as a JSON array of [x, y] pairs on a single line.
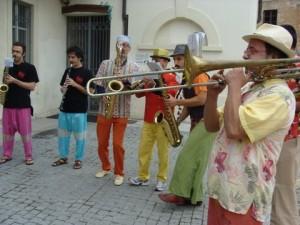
[[153, 132]]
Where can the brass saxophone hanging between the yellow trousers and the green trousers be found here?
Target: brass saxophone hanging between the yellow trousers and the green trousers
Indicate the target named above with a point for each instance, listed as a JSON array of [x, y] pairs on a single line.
[[168, 121]]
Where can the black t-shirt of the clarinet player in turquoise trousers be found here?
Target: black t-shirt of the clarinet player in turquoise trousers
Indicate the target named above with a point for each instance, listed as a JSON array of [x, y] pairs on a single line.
[[74, 101]]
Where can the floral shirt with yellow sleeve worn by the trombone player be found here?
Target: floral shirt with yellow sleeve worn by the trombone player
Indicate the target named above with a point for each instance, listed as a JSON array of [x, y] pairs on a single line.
[[241, 173]]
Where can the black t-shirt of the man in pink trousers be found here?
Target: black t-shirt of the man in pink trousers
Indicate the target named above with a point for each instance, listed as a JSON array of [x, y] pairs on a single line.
[[16, 96]]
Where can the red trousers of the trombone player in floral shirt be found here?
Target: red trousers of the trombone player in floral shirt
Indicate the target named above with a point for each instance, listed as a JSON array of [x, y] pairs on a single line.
[[217, 215]]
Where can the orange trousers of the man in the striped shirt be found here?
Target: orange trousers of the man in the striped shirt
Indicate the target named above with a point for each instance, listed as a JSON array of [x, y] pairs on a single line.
[[103, 132]]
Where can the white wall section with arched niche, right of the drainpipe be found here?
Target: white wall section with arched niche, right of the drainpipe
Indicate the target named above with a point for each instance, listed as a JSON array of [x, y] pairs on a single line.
[[166, 23]]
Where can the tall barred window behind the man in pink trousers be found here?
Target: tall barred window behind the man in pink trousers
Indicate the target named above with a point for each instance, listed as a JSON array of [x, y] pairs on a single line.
[[21, 29]]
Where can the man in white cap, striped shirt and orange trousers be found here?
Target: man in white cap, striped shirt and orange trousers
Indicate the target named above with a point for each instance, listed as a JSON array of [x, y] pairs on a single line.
[[120, 112]]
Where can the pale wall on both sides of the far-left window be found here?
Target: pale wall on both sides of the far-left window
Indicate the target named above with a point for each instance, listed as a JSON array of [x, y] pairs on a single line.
[[48, 53]]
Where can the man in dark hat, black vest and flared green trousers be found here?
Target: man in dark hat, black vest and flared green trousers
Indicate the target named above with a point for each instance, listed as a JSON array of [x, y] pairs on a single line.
[[186, 185]]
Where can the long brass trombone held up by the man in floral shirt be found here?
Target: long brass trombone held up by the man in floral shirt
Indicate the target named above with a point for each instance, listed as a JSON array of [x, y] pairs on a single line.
[[265, 69]]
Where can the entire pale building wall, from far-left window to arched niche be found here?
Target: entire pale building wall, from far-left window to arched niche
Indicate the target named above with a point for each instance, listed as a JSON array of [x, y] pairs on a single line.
[[155, 23]]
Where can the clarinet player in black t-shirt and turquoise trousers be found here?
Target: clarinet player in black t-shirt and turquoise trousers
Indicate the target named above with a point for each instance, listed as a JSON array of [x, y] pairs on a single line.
[[72, 117]]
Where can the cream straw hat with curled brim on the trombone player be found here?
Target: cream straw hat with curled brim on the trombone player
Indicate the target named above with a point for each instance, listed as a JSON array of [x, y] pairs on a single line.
[[274, 35]]
